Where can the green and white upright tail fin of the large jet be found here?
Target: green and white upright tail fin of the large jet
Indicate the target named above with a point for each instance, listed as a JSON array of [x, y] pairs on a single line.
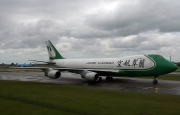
[[52, 51]]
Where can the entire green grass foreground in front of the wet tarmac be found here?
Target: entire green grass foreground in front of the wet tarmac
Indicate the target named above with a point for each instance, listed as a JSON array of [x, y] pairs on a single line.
[[39, 98]]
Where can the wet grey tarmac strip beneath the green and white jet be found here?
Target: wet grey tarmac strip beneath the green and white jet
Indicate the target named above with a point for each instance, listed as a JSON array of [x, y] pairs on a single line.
[[118, 83]]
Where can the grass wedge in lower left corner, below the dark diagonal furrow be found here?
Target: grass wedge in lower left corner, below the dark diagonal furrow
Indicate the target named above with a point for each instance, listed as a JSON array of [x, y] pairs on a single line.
[[11, 106]]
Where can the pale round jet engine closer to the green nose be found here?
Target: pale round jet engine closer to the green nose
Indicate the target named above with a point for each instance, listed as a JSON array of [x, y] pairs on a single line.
[[92, 76]]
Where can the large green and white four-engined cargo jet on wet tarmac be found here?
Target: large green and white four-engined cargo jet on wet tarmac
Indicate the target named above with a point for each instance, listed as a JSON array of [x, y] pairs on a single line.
[[92, 69]]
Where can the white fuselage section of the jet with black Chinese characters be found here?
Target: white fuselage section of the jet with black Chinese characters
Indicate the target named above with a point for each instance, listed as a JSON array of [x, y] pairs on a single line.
[[138, 62]]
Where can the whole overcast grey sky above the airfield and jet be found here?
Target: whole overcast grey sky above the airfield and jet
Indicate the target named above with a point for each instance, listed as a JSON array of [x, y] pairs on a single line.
[[88, 28]]
